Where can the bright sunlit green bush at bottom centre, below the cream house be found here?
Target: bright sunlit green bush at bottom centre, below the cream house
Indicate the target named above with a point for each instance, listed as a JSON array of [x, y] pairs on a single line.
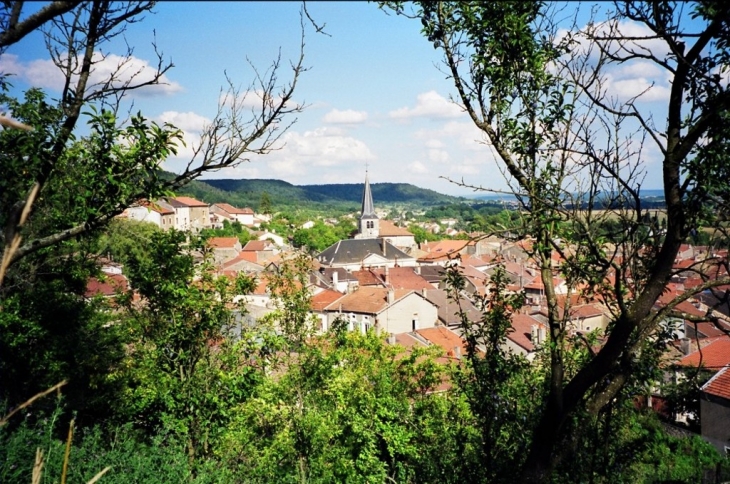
[[347, 408]]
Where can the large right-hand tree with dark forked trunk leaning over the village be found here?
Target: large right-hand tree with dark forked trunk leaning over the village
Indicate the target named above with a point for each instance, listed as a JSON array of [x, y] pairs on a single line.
[[541, 97]]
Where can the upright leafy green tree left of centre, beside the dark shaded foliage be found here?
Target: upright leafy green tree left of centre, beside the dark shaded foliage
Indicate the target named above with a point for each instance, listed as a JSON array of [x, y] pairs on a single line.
[[185, 374]]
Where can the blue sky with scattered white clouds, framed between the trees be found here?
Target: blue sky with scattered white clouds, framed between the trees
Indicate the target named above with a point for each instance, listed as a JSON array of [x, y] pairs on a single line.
[[374, 94]]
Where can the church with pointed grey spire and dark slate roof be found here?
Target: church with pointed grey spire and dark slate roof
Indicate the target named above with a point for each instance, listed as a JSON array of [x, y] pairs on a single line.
[[369, 247]]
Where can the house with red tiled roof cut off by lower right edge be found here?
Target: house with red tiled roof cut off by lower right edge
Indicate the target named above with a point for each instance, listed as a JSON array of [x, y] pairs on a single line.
[[715, 411]]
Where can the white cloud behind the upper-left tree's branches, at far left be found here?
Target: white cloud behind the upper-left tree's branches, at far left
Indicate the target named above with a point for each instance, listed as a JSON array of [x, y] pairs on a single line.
[[122, 70]]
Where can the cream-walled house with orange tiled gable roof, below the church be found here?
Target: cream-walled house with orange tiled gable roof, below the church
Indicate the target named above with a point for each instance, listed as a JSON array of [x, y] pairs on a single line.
[[391, 311]]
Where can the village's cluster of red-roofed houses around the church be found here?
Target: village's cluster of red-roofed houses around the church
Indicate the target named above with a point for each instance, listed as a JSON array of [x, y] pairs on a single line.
[[381, 280]]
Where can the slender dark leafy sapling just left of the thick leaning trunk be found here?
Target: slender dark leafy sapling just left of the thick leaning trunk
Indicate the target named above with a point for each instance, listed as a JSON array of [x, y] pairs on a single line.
[[500, 386]]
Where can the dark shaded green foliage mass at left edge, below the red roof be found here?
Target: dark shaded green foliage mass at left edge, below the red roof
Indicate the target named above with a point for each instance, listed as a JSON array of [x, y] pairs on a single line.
[[50, 332]]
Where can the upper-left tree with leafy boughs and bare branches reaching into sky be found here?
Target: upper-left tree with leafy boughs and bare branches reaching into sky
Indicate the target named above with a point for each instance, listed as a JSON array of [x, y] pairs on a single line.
[[66, 184]]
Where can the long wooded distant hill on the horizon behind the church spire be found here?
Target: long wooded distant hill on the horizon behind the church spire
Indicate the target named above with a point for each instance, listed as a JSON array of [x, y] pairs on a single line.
[[335, 196]]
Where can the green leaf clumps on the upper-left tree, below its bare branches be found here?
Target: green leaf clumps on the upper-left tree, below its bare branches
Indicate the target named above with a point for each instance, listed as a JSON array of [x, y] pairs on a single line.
[[94, 177]]
